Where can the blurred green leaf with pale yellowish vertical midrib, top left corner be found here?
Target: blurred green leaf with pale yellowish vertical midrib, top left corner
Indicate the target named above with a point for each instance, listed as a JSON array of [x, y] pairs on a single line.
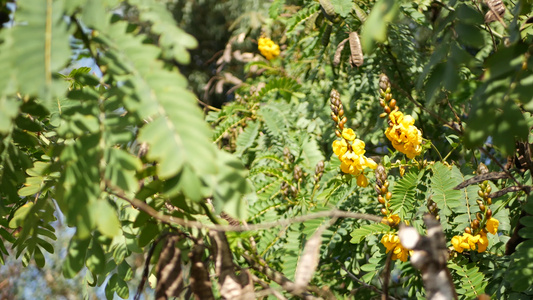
[[38, 47]]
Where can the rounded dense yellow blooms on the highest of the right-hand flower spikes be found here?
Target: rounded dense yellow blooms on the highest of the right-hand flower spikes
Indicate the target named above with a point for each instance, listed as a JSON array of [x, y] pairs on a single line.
[[403, 134]]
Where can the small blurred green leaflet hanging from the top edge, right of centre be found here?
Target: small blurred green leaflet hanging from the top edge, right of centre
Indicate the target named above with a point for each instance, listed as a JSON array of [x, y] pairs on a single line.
[[375, 27]]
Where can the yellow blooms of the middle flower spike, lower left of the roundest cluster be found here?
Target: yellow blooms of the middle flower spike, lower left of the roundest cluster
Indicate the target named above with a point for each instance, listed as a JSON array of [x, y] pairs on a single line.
[[351, 154]]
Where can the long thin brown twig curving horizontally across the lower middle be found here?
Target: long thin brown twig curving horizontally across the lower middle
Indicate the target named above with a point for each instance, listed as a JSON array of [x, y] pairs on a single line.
[[240, 228]]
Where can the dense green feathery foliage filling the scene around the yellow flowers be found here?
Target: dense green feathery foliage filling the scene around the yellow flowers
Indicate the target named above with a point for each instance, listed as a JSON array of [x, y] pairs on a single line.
[[121, 151]]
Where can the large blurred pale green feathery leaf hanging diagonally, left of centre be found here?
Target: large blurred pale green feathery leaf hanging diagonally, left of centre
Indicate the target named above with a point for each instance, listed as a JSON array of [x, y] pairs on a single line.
[[177, 134]]
